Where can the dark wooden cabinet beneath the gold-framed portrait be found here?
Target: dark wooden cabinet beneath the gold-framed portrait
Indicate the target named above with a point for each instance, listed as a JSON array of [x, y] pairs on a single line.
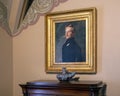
[[56, 88]]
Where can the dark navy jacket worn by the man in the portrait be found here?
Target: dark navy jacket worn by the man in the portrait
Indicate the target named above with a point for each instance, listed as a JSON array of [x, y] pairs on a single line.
[[71, 52]]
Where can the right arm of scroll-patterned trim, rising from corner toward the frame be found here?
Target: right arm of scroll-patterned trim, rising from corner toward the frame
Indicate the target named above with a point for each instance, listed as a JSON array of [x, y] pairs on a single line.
[[37, 9]]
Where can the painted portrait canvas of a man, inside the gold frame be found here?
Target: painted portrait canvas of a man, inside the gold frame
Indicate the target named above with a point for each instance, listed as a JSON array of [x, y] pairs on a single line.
[[70, 41]]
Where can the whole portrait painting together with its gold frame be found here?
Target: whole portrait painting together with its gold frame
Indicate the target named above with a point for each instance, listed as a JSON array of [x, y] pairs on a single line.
[[71, 41]]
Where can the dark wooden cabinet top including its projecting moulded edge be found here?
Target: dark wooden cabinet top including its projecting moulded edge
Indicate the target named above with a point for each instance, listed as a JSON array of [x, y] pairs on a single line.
[[56, 84]]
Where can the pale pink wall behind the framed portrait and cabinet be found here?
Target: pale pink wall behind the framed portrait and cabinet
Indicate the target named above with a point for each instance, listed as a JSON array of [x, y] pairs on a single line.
[[29, 49]]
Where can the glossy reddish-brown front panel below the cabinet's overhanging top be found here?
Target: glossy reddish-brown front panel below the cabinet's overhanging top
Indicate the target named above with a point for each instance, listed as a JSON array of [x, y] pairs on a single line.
[[60, 92]]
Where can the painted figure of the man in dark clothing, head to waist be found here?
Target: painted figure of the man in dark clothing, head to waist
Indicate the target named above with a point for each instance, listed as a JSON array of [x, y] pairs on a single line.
[[71, 51]]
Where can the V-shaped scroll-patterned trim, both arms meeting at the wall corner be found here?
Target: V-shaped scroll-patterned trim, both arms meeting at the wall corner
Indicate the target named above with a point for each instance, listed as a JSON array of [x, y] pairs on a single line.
[[37, 9]]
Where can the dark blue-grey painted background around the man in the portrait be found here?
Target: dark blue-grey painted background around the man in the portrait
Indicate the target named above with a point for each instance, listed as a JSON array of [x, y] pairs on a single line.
[[80, 37]]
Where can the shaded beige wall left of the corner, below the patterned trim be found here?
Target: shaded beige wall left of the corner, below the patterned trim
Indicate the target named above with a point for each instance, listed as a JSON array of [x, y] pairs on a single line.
[[6, 67]]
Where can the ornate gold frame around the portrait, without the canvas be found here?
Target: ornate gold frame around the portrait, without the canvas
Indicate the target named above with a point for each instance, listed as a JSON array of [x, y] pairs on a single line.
[[90, 17]]
